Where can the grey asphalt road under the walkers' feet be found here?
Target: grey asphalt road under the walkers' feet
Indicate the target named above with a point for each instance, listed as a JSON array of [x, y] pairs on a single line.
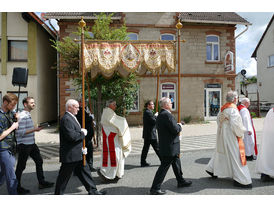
[[138, 180]]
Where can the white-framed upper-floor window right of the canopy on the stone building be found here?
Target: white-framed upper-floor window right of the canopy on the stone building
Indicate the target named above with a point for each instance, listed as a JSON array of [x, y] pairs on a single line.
[[212, 48]]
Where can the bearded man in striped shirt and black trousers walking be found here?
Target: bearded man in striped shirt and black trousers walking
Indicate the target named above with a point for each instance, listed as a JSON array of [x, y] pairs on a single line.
[[27, 147]]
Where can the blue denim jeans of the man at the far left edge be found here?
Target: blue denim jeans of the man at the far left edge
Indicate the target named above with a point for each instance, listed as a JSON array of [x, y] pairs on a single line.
[[7, 163]]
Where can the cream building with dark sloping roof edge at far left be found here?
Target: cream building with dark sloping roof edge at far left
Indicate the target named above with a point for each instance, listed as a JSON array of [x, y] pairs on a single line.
[[25, 42]]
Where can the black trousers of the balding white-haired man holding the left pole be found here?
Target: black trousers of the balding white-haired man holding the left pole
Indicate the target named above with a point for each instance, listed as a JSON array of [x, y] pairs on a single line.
[[82, 172]]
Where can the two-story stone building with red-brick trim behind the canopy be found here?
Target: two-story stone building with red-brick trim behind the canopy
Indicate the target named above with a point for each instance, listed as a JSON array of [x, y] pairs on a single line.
[[207, 69]]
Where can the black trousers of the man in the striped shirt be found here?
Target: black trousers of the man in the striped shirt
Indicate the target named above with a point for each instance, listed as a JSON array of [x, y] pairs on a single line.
[[25, 151]]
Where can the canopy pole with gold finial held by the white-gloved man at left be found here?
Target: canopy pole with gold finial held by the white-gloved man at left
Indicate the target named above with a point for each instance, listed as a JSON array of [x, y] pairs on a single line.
[[82, 24]]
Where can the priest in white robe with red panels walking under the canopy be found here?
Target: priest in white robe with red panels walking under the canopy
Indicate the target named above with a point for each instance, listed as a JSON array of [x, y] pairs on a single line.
[[116, 143]]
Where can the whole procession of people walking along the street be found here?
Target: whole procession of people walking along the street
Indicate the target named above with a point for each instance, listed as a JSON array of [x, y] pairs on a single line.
[[235, 145]]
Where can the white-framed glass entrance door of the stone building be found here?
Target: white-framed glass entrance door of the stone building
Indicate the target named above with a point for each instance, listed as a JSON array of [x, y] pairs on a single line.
[[212, 103]]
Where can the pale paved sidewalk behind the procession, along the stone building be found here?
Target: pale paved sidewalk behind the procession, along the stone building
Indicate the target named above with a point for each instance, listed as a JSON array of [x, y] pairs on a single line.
[[196, 137]]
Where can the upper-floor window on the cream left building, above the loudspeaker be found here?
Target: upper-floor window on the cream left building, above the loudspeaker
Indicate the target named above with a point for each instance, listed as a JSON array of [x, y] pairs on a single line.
[[17, 50]]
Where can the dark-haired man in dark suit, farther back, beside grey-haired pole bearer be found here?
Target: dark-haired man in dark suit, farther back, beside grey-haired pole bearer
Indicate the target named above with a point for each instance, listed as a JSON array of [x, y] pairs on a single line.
[[149, 132]]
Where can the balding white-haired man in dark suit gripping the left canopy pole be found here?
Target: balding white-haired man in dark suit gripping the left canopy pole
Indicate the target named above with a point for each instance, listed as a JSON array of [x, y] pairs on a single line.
[[71, 149]]
